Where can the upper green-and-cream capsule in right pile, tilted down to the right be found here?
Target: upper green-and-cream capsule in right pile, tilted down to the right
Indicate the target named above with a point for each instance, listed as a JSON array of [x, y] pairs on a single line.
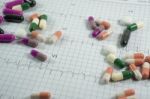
[[116, 61]]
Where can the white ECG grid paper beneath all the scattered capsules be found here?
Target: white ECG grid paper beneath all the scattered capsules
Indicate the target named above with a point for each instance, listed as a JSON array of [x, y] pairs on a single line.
[[75, 65]]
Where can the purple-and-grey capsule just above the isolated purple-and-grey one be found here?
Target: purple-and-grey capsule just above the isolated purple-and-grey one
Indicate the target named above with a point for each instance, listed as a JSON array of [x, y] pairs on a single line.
[[29, 42]]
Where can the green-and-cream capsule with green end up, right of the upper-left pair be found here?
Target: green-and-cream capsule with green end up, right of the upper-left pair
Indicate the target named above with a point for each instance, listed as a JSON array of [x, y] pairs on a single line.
[[43, 21]]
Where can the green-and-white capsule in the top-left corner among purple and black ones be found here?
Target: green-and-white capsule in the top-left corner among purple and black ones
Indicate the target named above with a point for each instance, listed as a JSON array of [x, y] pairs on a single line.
[[21, 7]]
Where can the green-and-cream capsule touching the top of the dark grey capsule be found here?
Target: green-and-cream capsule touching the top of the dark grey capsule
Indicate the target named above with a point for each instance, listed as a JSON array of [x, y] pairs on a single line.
[[135, 26]]
